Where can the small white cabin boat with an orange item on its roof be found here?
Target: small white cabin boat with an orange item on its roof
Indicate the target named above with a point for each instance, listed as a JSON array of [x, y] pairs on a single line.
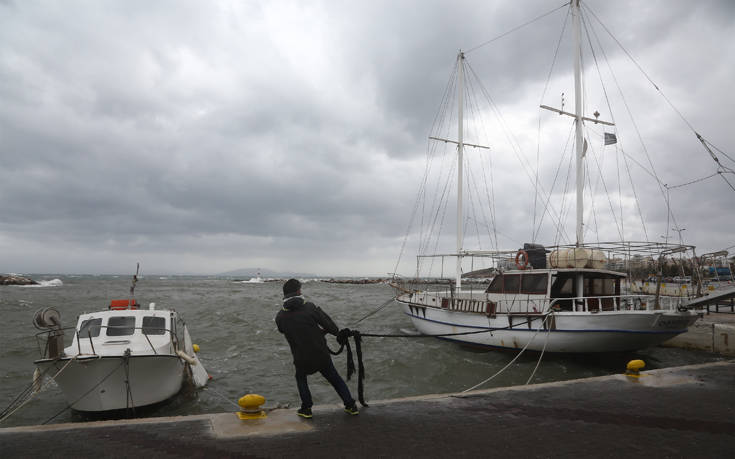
[[120, 358]]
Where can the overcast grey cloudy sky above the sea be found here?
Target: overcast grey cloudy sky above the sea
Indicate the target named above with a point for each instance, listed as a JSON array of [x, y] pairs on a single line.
[[207, 136]]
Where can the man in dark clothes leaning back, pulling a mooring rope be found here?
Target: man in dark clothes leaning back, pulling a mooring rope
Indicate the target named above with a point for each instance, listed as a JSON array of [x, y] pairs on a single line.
[[305, 325]]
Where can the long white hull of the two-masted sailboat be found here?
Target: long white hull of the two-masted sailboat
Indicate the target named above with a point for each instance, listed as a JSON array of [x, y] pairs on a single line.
[[563, 332]]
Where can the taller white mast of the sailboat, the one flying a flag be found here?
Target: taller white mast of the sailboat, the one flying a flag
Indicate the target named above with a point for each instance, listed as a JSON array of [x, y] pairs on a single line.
[[578, 121]]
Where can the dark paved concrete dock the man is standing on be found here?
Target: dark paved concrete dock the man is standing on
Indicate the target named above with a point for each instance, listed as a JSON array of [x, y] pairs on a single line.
[[675, 412]]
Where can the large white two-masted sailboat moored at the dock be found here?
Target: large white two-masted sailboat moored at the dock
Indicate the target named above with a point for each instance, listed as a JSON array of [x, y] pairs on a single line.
[[566, 298]]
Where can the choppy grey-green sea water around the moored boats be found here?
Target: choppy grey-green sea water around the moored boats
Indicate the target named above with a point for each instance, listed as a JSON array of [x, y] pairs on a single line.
[[243, 352]]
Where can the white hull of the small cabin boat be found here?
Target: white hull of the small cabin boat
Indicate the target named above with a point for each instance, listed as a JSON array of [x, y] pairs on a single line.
[[97, 384]]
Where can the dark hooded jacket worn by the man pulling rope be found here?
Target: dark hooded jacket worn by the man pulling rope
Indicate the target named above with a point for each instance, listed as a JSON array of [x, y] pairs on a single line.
[[305, 325]]
